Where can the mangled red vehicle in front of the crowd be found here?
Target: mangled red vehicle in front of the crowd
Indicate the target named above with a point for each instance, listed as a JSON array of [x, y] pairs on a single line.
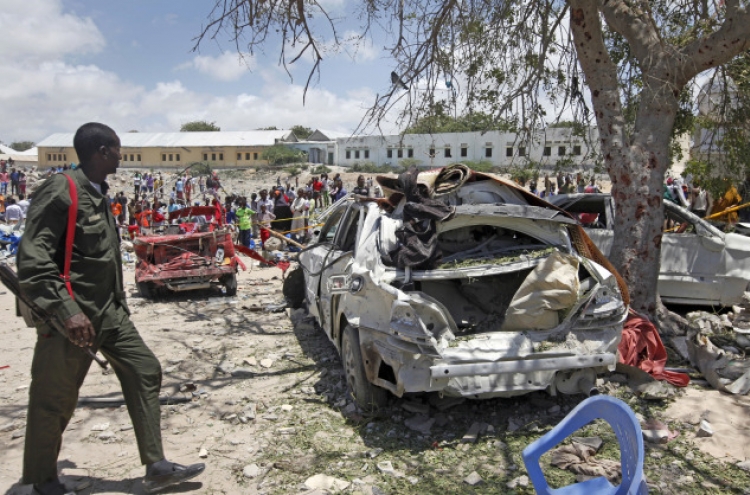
[[197, 253]]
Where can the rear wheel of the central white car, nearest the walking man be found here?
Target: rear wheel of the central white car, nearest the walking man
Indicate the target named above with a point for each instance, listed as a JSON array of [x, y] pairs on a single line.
[[370, 398]]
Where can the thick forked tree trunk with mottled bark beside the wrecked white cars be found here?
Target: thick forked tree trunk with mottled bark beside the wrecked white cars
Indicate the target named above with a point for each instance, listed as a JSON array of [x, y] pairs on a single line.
[[637, 161]]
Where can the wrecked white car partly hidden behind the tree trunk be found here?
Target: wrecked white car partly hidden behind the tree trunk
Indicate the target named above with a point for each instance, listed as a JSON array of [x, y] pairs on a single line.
[[700, 264]]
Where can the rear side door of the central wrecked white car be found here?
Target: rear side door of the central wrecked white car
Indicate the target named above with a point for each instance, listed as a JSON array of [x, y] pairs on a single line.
[[336, 274]]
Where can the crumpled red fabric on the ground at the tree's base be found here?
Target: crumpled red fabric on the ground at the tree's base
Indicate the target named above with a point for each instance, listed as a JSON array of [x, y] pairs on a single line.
[[642, 347]]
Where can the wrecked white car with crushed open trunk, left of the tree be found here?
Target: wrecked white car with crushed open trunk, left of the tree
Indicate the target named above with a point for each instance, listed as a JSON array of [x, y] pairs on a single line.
[[500, 303]]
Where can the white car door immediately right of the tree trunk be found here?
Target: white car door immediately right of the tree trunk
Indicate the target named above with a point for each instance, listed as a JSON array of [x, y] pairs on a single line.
[[691, 261]]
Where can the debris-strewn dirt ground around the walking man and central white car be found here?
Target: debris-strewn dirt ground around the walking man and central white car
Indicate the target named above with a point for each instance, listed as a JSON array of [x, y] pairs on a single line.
[[260, 398]]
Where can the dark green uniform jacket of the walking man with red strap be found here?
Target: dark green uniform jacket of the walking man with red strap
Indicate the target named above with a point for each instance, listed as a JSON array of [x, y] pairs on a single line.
[[96, 265]]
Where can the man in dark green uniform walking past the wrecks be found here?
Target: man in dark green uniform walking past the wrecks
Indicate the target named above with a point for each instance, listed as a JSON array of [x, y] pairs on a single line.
[[97, 316]]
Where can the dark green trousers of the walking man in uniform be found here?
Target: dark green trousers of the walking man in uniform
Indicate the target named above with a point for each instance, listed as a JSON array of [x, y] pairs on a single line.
[[57, 373]]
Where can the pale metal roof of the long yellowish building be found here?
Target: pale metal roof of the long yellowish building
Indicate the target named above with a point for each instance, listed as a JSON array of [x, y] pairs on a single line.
[[183, 139]]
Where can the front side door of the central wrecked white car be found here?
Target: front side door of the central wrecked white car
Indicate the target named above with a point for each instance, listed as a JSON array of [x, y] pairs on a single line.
[[314, 259]]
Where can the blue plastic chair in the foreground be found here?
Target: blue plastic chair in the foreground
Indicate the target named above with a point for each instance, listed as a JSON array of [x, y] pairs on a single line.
[[628, 431]]
